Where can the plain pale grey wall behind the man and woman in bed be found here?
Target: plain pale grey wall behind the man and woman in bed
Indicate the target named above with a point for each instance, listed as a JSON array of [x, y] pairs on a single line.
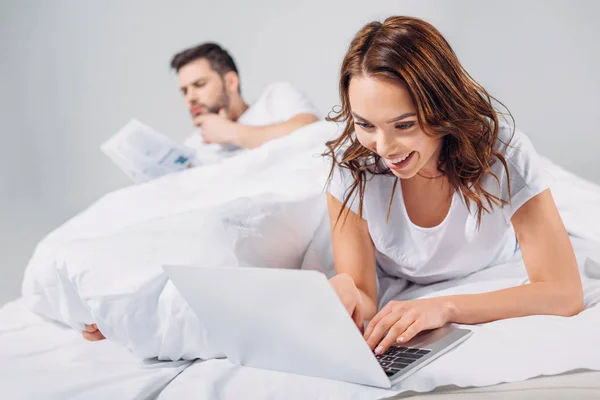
[[73, 72]]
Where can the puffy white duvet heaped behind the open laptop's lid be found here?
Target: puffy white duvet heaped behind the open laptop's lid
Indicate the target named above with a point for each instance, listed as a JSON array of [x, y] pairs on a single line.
[[261, 208]]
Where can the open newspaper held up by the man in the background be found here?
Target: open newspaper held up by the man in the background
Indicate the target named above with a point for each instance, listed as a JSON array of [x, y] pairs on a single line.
[[145, 154]]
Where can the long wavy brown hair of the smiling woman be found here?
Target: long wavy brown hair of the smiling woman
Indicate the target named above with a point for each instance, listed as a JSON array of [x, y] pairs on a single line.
[[449, 104]]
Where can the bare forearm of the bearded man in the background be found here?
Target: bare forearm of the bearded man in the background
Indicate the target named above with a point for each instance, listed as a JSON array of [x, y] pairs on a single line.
[[250, 137]]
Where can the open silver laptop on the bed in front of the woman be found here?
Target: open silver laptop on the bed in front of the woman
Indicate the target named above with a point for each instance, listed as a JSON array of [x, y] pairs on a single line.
[[292, 321]]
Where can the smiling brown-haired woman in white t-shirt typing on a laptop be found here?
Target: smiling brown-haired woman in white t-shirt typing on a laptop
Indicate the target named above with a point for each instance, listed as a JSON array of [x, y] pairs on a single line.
[[428, 185]]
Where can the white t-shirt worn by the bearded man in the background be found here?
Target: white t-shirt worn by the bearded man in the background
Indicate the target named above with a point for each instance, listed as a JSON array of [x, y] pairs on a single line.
[[279, 102]]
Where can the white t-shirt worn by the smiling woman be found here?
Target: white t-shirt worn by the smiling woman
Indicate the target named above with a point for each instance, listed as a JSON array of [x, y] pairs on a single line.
[[456, 247]]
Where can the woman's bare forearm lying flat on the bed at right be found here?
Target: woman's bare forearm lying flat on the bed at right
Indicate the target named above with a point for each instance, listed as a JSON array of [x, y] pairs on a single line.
[[531, 299]]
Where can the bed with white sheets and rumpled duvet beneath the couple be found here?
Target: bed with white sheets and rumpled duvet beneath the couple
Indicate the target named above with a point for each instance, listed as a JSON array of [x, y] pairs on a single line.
[[104, 266]]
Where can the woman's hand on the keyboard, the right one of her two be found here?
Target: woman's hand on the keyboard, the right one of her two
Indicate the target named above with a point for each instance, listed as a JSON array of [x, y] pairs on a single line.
[[402, 320]]
